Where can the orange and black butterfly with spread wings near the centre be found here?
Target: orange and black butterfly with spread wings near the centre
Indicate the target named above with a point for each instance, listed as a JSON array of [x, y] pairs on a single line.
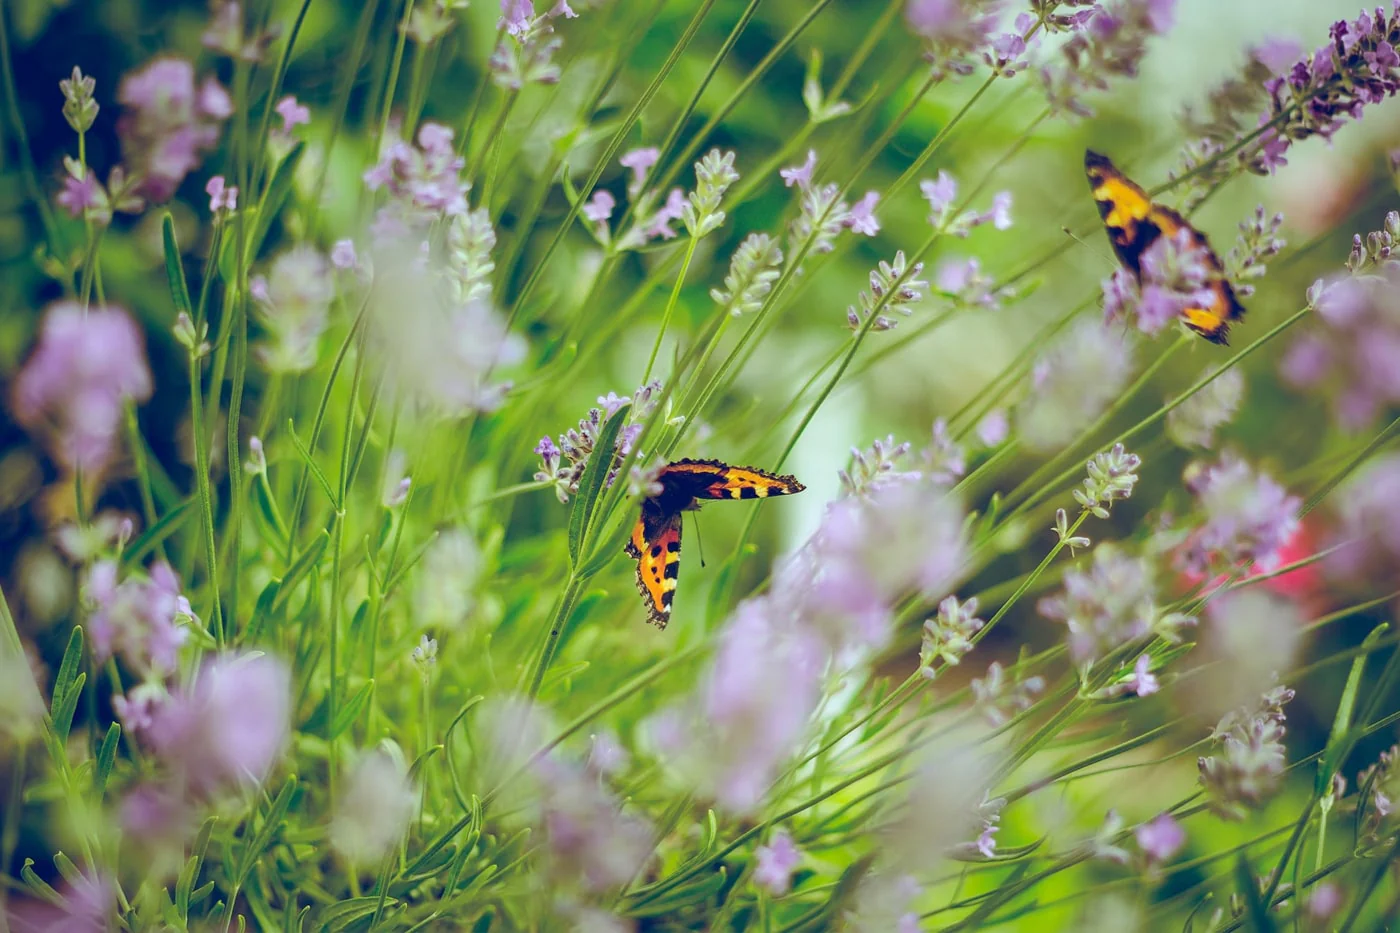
[[656, 539]]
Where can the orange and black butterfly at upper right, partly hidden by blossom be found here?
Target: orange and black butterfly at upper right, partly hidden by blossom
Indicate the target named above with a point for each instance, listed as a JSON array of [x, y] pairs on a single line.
[[1135, 222]]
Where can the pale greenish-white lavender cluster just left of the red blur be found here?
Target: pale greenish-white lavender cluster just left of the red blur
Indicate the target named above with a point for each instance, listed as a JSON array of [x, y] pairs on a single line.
[[1112, 604]]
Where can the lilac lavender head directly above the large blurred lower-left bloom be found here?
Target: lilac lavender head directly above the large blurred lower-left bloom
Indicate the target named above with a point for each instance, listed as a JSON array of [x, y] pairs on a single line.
[[145, 620]]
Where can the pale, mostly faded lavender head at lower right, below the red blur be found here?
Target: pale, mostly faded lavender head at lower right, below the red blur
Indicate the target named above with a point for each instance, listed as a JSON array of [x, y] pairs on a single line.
[[1249, 766]]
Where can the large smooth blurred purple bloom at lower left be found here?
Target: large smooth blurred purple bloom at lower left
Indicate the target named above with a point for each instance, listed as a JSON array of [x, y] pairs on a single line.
[[229, 728]]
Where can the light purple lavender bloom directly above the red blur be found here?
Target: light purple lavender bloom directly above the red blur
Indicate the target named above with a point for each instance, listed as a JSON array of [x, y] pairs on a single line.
[[1247, 518]]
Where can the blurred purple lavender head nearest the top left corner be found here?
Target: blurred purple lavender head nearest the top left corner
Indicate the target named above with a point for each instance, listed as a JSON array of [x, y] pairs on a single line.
[[169, 124]]
